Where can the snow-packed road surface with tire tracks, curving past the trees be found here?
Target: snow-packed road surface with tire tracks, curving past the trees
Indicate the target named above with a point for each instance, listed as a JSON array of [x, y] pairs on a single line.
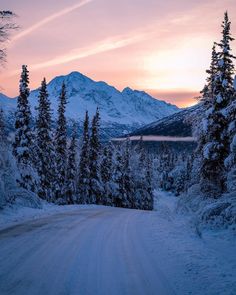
[[90, 251]]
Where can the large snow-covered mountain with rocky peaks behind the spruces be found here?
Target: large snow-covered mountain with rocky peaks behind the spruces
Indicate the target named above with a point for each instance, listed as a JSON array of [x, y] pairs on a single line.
[[121, 112]]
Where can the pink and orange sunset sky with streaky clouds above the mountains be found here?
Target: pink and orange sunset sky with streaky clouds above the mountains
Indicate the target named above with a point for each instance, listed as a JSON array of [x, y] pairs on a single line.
[[162, 47]]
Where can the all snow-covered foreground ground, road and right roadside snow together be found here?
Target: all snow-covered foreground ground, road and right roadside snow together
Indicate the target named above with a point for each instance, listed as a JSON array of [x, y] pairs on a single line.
[[102, 250]]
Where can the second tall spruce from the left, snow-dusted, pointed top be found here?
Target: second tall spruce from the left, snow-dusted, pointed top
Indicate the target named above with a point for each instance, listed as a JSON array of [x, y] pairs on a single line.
[[45, 148]]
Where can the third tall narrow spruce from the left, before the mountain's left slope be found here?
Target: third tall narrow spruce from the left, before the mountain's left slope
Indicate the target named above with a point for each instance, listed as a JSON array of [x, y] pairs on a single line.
[[61, 148]]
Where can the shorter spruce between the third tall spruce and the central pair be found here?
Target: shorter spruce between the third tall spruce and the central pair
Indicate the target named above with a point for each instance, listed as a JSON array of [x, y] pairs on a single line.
[[71, 170]]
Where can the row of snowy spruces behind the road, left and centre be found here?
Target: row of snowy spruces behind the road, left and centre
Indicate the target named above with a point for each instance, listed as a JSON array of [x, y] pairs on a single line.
[[64, 171]]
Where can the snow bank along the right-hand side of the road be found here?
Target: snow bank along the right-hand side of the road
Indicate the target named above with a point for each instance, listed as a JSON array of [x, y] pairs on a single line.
[[204, 262]]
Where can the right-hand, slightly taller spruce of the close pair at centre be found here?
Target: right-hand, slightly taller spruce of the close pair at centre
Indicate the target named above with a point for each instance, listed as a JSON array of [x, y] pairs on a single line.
[[95, 189]]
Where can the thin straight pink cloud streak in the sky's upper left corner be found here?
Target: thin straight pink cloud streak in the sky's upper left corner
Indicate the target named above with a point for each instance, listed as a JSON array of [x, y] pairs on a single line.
[[49, 19]]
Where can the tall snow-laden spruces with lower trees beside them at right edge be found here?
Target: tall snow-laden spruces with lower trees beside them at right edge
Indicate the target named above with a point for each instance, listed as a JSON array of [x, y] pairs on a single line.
[[213, 164]]
